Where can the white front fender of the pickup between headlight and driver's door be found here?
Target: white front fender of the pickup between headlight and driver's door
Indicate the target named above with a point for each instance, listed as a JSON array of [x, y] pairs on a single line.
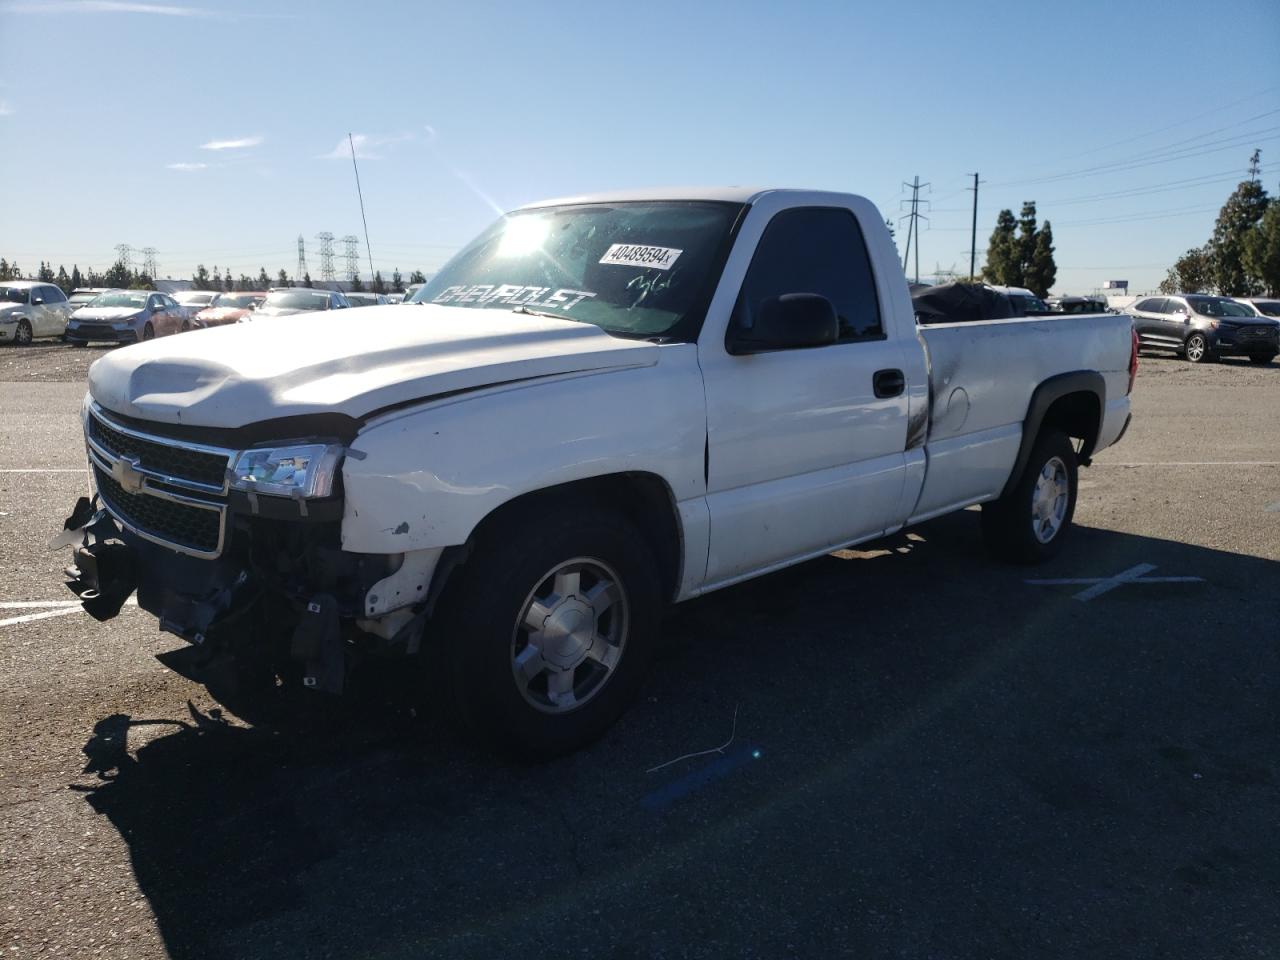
[[426, 478]]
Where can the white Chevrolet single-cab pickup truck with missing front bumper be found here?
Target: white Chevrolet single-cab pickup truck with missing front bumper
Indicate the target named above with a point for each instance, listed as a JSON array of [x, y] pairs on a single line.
[[601, 406]]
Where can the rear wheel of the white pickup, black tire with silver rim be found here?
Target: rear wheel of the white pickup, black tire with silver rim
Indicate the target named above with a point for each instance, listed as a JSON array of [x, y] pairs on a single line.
[[1030, 524]]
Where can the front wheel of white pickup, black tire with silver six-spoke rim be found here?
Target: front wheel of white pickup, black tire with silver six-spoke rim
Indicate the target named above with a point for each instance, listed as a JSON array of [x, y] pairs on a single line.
[[569, 565]]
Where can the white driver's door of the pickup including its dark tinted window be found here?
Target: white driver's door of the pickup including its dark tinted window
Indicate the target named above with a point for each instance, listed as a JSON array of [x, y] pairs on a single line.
[[806, 446]]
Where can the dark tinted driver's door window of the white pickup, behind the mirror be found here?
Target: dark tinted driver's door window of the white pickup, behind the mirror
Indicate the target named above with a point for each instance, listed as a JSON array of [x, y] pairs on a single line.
[[816, 250]]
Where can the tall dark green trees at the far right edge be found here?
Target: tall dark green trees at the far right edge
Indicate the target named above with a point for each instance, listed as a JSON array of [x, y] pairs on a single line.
[[1242, 259]]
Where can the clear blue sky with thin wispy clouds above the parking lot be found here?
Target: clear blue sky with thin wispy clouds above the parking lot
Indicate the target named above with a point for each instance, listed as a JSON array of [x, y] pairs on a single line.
[[216, 132]]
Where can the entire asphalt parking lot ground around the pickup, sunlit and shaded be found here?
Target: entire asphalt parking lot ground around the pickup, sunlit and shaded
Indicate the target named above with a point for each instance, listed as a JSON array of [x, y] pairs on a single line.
[[932, 757]]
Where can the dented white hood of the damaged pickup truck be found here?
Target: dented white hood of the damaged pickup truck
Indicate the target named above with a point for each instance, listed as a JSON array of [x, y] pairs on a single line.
[[346, 362]]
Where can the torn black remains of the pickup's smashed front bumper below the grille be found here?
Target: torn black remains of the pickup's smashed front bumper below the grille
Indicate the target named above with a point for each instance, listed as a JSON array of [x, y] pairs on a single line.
[[281, 593]]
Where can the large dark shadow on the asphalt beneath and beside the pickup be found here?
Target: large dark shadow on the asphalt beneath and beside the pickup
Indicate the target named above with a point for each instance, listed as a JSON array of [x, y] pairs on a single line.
[[930, 757]]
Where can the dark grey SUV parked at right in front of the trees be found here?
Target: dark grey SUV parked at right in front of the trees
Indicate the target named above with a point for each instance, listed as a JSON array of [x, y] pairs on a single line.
[[1204, 328]]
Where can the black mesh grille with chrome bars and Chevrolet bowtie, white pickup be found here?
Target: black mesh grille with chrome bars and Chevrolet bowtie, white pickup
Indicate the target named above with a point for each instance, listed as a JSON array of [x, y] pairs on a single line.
[[166, 491]]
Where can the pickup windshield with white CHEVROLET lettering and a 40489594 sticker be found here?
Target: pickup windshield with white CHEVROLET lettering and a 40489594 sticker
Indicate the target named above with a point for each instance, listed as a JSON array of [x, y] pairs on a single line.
[[642, 269]]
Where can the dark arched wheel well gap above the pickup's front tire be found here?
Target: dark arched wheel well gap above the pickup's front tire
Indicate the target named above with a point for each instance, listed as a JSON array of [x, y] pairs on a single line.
[[646, 500]]
